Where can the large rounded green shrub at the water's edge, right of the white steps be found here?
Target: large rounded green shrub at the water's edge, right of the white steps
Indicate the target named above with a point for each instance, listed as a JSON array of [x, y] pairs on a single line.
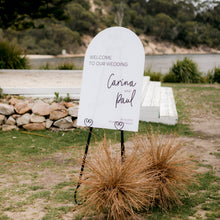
[[186, 71]]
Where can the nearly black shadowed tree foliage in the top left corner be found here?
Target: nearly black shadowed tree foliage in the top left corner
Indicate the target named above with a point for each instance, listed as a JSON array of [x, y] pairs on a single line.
[[20, 14]]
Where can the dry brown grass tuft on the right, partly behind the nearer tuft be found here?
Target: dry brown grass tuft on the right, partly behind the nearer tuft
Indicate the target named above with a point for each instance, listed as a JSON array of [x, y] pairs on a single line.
[[172, 171]]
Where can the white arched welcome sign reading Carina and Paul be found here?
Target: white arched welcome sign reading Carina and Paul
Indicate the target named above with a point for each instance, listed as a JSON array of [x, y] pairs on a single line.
[[112, 81]]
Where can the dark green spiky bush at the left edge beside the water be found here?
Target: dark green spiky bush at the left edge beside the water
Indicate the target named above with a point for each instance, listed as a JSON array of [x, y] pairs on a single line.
[[11, 57]]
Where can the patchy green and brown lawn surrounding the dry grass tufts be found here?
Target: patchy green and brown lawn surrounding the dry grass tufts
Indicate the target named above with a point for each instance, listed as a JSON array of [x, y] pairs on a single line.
[[39, 170]]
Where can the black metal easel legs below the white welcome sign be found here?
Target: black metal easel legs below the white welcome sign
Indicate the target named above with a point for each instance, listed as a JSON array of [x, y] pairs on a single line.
[[84, 160]]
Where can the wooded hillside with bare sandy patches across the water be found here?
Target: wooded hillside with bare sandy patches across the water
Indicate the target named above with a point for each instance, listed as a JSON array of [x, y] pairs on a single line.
[[164, 26]]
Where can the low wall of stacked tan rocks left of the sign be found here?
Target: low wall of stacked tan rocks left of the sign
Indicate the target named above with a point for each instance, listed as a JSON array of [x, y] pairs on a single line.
[[37, 114]]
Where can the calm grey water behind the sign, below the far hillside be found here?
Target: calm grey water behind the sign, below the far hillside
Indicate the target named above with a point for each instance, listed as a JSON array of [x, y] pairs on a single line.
[[157, 63]]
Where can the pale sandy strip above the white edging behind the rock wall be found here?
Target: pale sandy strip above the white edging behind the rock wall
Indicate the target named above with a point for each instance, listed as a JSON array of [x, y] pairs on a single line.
[[40, 78]]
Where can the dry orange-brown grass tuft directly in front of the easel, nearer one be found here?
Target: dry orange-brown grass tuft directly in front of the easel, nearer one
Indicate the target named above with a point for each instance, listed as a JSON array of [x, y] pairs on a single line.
[[115, 187]]
